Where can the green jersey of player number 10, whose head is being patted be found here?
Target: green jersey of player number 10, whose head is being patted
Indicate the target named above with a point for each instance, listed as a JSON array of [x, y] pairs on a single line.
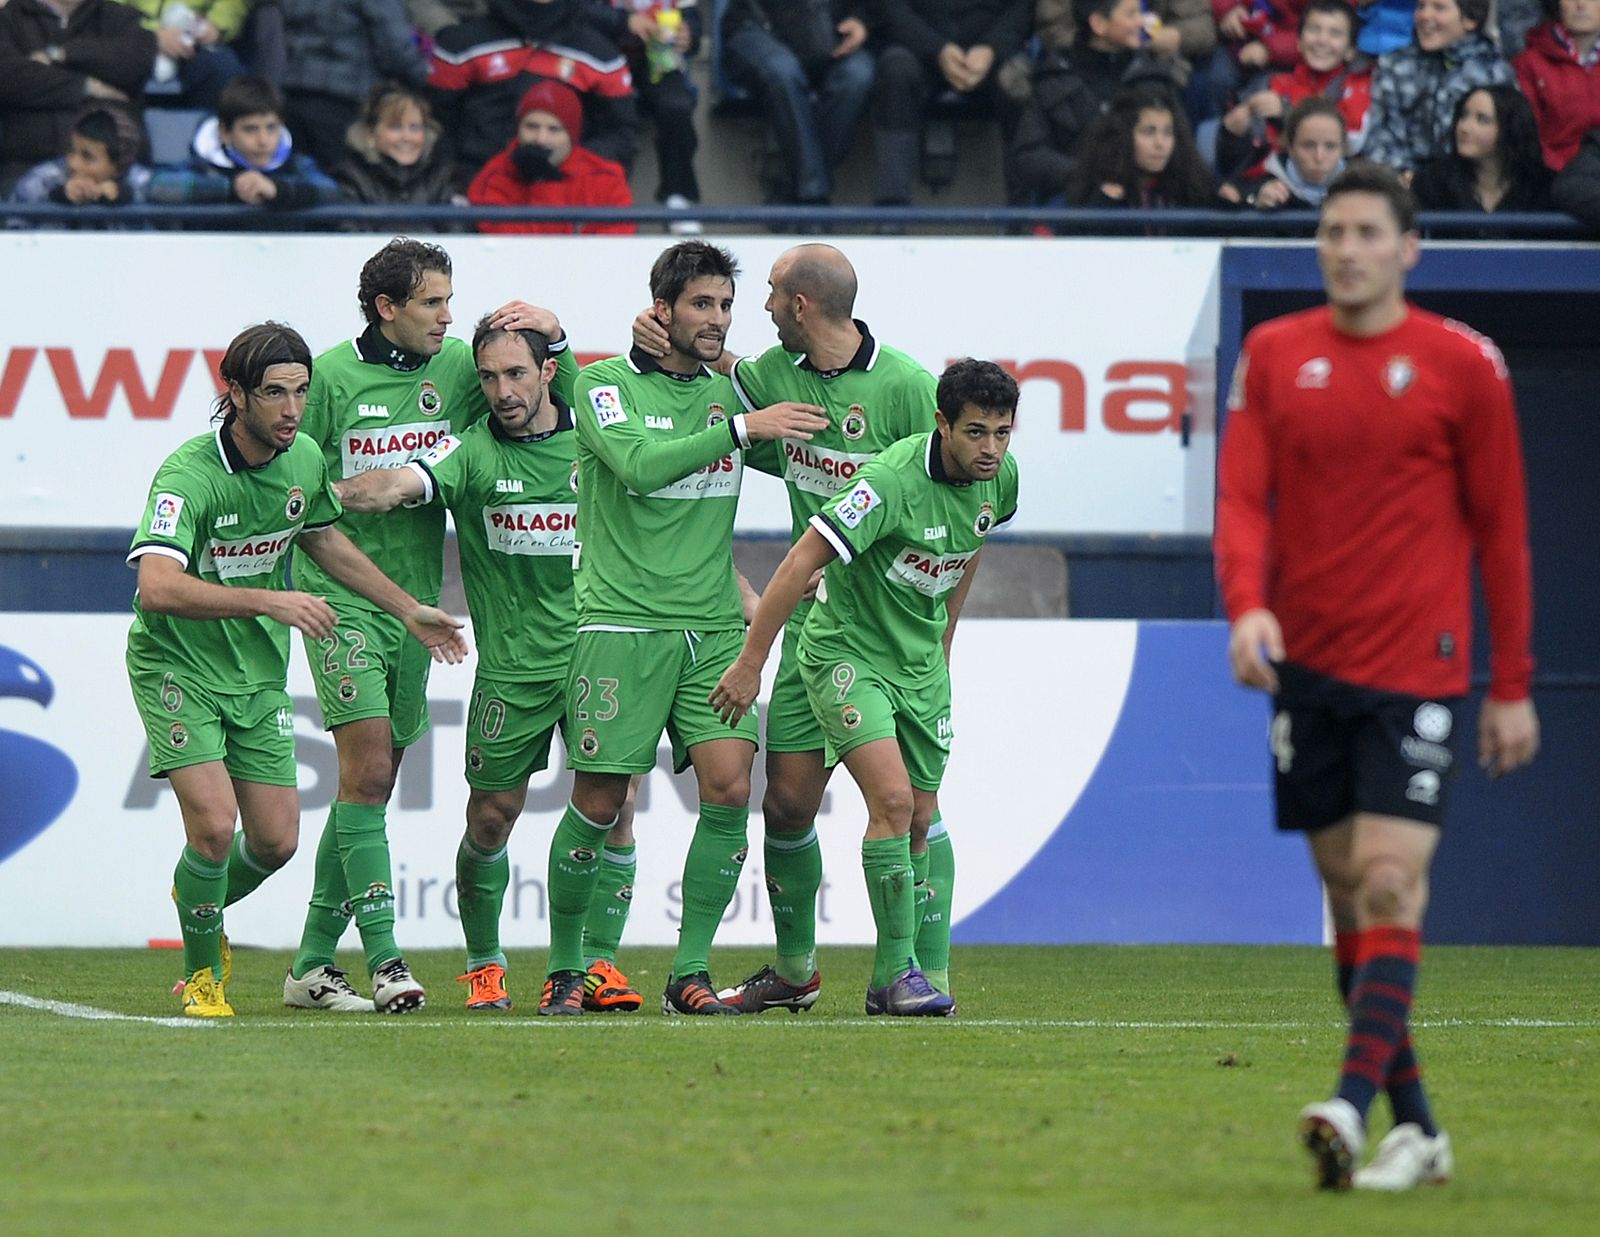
[[516, 506]]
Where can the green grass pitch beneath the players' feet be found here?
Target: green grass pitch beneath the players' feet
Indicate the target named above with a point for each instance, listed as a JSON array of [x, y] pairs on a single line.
[[1031, 1113]]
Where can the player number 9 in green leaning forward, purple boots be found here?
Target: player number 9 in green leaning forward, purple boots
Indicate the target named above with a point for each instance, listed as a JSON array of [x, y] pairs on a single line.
[[873, 652]]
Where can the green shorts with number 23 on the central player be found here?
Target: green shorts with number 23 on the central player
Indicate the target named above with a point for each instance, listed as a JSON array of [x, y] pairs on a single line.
[[626, 687]]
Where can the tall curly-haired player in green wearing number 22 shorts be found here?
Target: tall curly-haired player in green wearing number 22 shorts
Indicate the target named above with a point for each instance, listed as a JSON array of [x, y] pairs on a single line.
[[378, 401]]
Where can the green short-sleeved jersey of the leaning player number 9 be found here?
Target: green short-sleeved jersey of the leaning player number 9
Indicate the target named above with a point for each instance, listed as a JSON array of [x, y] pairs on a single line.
[[905, 535]]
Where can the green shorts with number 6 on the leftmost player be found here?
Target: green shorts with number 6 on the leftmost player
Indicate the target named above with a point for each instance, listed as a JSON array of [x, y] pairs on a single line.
[[188, 724]]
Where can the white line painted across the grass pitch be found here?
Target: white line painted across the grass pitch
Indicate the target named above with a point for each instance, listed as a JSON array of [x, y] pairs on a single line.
[[340, 1022]]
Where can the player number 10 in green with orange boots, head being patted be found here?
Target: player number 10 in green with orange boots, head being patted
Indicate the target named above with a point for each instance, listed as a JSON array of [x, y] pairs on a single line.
[[511, 484]]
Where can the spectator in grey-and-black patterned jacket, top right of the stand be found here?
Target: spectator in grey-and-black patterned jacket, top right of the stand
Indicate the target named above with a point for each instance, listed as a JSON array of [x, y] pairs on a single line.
[[1417, 89]]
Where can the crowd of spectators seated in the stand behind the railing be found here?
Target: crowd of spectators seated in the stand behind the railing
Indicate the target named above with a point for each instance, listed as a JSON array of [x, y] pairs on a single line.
[[1482, 105]]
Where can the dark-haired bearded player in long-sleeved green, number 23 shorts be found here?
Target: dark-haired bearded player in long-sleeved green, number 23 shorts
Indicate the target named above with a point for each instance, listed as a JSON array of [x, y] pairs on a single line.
[[660, 462]]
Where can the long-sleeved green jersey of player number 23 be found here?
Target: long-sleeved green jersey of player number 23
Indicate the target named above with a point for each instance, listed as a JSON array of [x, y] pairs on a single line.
[[660, 465]]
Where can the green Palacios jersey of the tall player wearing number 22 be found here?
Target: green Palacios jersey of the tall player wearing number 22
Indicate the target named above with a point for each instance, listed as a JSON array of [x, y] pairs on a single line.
[[372, 407]]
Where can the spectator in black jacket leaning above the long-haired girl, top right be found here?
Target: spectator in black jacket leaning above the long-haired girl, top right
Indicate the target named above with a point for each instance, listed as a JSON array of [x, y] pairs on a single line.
[[1074, 86]]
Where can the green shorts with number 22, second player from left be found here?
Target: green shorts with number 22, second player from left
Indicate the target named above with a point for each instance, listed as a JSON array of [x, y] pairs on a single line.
[[372, 668]]
